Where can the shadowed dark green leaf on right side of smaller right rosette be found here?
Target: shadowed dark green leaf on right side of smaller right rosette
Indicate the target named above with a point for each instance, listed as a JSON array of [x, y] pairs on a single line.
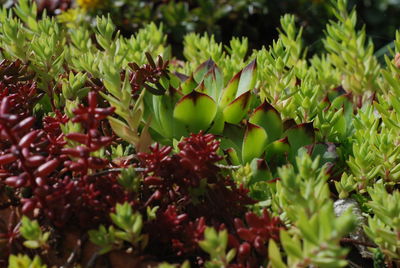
[[300, 136]]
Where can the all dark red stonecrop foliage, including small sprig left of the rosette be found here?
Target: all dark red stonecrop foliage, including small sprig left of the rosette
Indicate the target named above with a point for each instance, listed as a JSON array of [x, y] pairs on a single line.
[[61, 180]]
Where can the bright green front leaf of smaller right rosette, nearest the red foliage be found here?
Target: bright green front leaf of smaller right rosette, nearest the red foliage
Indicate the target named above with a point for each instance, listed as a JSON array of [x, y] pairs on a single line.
[[254, 142]]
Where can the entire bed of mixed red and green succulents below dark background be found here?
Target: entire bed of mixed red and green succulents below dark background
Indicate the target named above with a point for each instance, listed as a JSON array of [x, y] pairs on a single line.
[[115, 152]]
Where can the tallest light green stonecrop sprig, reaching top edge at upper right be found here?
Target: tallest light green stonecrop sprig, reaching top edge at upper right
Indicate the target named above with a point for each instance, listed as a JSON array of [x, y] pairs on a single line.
[[350, 53]]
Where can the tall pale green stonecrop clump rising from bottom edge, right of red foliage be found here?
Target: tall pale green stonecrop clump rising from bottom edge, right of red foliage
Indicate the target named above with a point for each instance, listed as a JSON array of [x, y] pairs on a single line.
[[302, 197]]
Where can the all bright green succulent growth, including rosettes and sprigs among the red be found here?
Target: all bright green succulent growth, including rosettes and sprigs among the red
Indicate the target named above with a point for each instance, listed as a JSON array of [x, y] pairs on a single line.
[[342, 106]]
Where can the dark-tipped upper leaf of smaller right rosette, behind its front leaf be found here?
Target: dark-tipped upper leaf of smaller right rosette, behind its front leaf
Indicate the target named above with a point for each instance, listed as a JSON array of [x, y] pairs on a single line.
[[268, 118]]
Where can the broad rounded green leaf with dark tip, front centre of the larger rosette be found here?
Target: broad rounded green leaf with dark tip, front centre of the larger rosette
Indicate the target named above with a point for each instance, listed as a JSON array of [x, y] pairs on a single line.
[[196, 110]]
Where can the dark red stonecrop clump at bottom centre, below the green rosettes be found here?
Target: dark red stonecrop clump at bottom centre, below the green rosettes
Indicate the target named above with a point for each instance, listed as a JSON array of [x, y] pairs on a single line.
[[192, 192]]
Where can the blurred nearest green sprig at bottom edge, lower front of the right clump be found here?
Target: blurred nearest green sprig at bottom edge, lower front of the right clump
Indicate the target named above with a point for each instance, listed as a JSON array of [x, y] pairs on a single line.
[[314, 241]]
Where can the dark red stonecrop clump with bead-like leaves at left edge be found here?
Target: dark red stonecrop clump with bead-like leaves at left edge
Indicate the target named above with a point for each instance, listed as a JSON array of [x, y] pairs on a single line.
[[62, 182]]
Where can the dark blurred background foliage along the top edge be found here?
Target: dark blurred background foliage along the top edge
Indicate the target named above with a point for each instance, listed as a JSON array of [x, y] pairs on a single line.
[[255, 19]]
